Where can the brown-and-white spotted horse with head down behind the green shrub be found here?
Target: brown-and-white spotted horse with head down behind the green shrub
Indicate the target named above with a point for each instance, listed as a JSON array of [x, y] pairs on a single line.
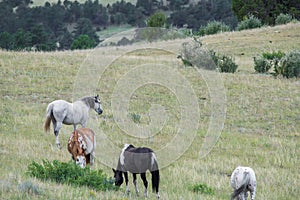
[[81, 146]]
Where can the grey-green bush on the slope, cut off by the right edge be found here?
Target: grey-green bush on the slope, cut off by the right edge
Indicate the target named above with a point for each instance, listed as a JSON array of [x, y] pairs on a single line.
[[290, 65]]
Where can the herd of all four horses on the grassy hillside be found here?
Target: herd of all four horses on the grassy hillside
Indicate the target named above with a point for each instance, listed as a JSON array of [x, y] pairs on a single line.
[[136, 160]]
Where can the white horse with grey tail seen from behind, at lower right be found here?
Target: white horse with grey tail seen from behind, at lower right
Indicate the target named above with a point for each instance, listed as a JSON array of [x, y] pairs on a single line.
[[242, 181]]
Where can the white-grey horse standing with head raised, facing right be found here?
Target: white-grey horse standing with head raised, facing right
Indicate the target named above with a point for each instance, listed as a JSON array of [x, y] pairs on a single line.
[[62, 112]]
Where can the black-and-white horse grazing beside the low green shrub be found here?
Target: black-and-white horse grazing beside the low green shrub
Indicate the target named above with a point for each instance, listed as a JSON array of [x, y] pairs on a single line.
[[137, 161]]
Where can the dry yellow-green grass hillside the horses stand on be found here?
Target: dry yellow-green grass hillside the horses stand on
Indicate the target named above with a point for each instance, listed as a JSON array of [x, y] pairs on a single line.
[[261, 128]]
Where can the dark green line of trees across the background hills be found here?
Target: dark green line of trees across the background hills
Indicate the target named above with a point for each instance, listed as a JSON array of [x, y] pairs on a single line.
[[71, 25]]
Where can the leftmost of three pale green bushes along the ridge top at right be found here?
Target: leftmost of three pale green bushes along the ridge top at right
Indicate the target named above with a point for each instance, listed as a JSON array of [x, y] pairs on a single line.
[[213, 27]]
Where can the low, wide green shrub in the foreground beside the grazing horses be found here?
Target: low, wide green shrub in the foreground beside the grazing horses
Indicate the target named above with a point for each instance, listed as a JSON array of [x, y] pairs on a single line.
[[69, 173]]
